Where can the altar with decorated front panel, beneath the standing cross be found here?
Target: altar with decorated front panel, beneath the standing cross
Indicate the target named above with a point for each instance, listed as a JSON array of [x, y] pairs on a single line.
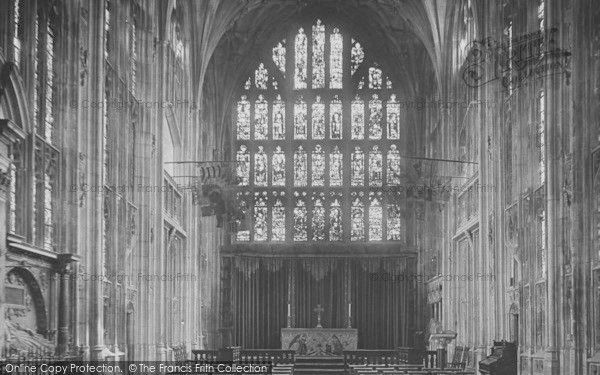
[[319, 341]]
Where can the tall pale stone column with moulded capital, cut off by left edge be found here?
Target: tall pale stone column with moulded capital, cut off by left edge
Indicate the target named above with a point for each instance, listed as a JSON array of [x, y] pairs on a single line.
[[10, 133]]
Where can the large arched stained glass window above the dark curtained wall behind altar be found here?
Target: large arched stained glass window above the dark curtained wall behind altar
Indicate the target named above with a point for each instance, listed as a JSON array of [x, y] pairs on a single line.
[[315, 148]]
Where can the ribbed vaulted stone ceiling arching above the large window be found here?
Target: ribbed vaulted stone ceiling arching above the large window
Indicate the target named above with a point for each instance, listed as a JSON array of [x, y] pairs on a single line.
[[407, 36]]
